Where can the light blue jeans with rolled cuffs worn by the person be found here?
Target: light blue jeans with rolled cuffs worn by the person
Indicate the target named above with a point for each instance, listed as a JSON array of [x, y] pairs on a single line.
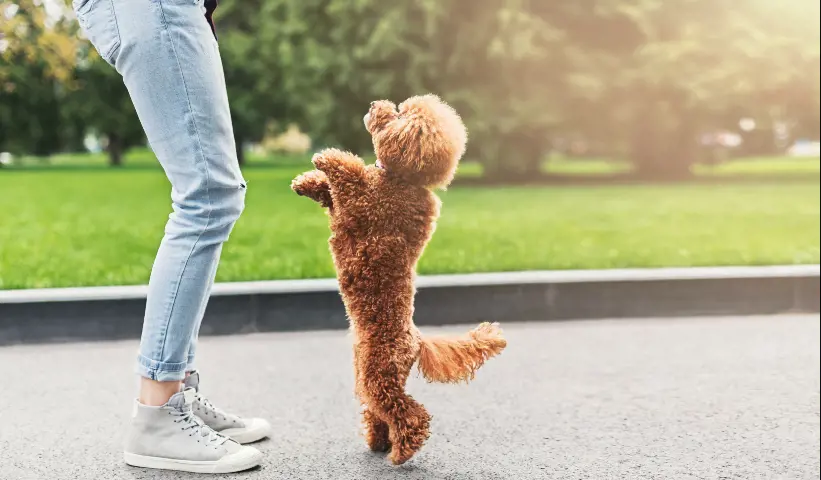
[[169, 60]]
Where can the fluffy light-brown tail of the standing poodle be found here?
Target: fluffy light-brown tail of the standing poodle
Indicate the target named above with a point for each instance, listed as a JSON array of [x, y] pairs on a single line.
[[454, 360]]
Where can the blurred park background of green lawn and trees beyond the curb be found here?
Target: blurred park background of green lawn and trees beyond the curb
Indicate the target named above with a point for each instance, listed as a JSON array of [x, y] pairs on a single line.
[[603, 134]]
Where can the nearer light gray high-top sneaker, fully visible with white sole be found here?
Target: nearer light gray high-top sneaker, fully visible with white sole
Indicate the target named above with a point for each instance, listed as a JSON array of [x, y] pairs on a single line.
[[171, 437]]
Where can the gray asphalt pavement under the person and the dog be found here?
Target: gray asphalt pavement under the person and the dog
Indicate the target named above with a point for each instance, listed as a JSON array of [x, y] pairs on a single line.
[[663, 399]]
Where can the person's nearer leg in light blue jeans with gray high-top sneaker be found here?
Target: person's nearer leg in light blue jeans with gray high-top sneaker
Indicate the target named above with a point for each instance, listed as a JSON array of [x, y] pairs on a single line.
[[168, 58]]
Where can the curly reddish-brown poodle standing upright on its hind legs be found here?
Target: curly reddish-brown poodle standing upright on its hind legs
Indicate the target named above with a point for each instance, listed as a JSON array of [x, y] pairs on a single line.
[[381, 218]]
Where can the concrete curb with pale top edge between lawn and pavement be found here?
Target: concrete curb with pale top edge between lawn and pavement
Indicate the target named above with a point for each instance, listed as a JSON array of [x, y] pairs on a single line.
[[107, 313]]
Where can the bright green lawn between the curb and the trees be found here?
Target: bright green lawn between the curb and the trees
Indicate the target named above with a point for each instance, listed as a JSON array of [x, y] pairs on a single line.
[[101, 227]]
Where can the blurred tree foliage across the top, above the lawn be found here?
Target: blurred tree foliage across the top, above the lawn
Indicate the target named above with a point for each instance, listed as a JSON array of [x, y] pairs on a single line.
[[638, 79]]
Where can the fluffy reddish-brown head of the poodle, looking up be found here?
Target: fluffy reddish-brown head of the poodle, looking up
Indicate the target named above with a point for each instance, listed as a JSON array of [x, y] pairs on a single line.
[[420, 142]]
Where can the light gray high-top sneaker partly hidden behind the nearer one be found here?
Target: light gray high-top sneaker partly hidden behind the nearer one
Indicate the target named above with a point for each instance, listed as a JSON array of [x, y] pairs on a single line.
[[241, 430]]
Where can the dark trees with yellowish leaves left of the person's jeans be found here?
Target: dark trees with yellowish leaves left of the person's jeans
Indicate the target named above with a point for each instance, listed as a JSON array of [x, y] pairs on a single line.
[[56, 87]]
